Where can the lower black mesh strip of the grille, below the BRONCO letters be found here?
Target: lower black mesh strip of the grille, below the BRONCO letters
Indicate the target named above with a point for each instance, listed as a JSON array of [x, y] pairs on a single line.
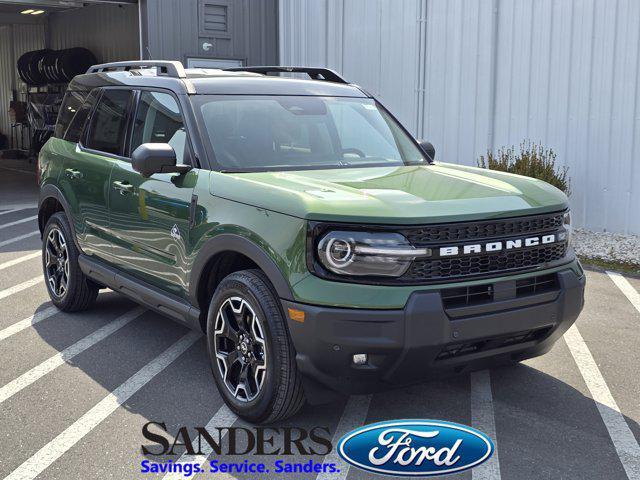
[[482, 264]]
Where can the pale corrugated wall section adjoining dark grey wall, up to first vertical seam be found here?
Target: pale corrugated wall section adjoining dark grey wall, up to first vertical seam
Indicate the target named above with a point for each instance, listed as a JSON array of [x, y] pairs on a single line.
[[369, 41]]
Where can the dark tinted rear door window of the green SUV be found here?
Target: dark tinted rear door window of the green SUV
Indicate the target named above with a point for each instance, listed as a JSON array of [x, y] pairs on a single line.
[[109, 122]]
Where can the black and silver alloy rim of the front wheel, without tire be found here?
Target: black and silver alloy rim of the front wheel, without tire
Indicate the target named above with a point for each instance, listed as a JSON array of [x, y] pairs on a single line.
[[240, 348]]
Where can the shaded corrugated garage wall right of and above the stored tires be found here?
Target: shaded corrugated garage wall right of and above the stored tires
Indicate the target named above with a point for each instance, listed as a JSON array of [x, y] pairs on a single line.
[[111, 32]]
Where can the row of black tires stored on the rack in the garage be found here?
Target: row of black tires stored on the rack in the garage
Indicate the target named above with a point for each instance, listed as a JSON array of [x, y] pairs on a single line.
[[41, 67]]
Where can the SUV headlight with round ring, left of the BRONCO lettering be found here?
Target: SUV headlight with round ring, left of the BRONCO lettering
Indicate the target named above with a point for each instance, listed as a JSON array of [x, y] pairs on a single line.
[[367, 253]]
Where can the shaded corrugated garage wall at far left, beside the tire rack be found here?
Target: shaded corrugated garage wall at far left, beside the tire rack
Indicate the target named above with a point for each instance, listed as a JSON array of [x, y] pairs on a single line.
[[14, 41]]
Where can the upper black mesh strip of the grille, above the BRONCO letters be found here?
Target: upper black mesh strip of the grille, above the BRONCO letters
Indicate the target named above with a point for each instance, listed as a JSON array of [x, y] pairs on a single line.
[[457, 232]]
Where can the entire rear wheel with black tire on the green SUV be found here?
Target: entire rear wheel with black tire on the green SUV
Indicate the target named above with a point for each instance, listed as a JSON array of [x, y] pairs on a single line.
[[69, 289]]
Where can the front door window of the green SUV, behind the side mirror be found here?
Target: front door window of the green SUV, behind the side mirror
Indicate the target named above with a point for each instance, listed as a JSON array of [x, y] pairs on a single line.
[[158, 120]]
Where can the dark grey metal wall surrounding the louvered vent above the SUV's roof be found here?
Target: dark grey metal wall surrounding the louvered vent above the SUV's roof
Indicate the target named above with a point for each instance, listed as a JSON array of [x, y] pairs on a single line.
[[171, 31]]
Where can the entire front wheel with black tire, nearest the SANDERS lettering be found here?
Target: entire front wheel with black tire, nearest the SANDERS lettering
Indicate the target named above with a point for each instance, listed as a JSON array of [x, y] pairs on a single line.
[[251, 355]]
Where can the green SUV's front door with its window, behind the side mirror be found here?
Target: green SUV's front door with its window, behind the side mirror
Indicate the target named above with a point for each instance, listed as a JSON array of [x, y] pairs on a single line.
[[150, 216]]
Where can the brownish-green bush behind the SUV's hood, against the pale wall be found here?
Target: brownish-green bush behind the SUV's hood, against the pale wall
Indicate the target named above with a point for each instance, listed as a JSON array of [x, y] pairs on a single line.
[[532, 160]]
